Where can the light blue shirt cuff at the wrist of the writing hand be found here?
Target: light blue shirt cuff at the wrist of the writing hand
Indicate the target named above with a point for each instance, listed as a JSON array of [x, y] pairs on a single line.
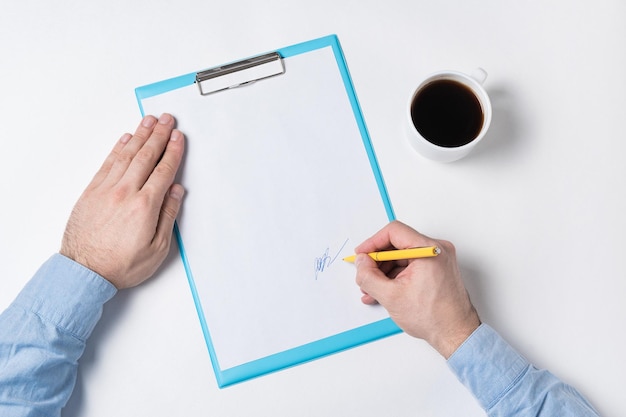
[[487, 365]]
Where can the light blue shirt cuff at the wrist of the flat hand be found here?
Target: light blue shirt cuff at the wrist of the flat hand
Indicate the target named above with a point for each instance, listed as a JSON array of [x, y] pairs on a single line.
[[67, 295]]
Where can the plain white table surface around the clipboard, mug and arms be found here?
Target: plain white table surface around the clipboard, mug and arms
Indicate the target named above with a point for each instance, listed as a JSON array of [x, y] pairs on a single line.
[[537, 212]]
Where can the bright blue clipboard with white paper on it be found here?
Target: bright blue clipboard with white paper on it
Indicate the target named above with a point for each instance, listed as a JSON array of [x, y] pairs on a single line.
[[213, 292]]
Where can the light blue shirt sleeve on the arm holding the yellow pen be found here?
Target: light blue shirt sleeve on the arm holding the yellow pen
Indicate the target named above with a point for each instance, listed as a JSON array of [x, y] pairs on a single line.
[[505, 384]]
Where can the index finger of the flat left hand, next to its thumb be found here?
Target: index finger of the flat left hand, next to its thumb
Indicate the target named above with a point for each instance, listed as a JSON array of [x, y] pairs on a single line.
[[162, 175]]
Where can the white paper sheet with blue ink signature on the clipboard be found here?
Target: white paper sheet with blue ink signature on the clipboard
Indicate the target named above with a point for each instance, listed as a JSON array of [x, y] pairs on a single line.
[[279, 189]]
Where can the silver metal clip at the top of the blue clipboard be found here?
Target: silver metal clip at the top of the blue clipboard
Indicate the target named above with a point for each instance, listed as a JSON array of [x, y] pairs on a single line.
[[239, 73]]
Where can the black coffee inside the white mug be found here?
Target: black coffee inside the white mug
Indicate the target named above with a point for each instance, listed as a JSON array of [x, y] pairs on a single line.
[[447, 113]]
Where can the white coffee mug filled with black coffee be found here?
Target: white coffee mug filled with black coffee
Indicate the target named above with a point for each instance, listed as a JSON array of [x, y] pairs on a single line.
[[432, 125]]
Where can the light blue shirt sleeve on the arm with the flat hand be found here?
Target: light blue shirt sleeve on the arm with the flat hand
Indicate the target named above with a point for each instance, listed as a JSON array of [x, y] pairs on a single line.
[[43, 334]]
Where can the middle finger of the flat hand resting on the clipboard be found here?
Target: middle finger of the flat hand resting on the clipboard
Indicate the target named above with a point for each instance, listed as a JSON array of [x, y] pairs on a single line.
[[144, 162]]
